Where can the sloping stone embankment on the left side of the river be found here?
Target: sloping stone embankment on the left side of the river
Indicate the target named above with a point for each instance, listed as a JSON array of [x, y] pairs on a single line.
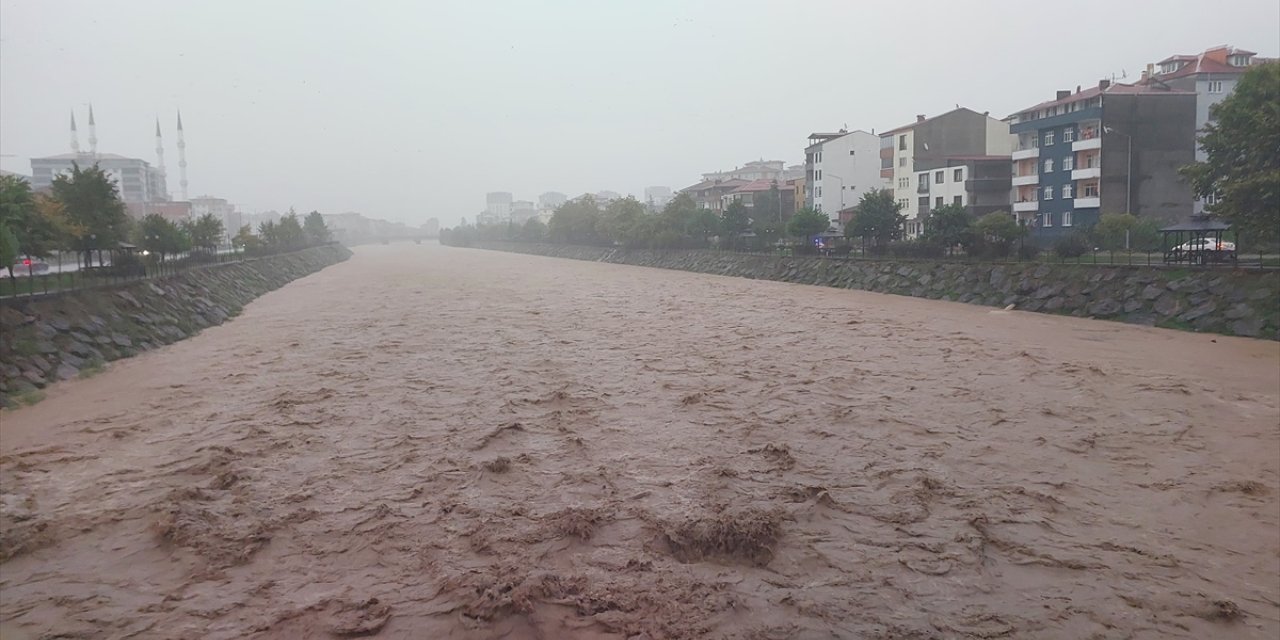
[[75, 333]]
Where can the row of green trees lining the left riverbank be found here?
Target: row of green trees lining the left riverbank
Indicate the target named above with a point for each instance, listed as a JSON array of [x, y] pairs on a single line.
[[83, 213]]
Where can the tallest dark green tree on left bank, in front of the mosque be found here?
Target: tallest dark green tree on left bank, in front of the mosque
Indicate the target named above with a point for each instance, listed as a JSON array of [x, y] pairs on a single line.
[[93, 207]]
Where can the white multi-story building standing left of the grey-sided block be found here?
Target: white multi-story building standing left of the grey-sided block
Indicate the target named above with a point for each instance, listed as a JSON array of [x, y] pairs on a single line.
[[840, 168]]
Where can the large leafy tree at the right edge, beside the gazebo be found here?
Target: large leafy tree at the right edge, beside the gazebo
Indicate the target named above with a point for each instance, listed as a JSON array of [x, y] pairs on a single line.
[[1242, 144]]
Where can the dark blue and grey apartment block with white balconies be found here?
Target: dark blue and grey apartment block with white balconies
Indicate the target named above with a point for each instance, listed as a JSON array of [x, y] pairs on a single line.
[[1109, 149]]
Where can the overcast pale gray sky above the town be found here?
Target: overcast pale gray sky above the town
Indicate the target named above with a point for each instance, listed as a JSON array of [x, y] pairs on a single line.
[[410, 111]]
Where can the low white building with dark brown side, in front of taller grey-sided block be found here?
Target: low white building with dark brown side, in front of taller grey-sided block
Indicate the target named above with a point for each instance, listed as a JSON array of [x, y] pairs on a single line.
[[979, 184]]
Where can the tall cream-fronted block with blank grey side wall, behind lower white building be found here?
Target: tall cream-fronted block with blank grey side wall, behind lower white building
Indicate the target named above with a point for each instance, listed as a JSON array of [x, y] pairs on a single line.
[[926, 144]]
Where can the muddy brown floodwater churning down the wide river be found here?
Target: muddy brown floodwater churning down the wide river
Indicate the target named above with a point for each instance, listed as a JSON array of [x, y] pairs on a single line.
[[429, 442]]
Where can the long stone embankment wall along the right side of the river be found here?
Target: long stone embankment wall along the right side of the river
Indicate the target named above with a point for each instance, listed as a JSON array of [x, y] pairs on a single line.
[[1233, 303]]
